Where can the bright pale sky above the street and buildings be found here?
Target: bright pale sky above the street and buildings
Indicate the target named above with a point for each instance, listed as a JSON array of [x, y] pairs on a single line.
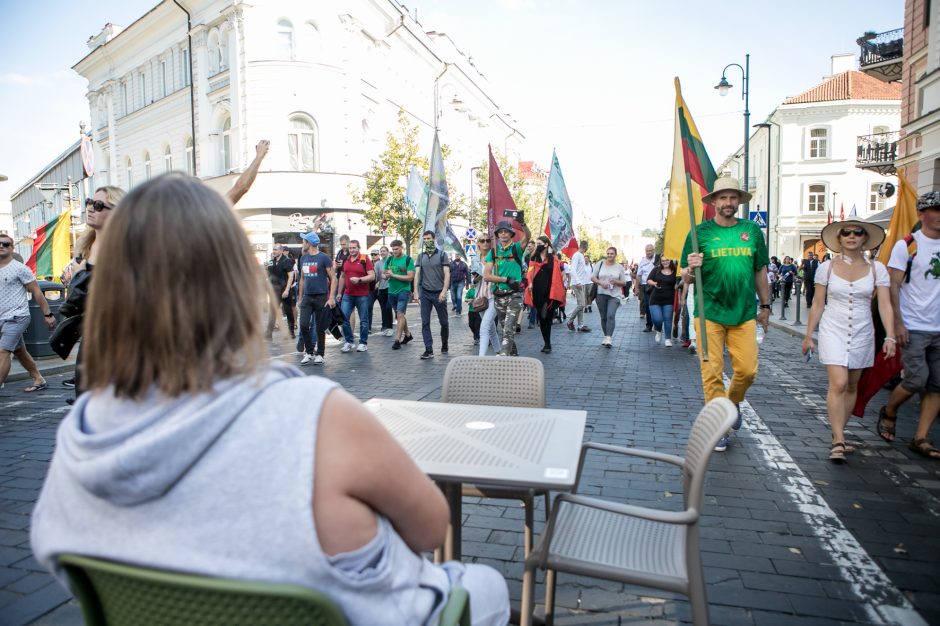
[[591, 78]]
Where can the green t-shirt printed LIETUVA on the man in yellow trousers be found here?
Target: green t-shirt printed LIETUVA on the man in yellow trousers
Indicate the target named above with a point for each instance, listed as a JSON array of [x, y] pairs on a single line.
[[732, 255]]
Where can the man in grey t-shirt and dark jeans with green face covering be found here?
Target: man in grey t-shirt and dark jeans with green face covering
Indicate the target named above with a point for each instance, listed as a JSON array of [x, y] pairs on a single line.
[[432, 279]]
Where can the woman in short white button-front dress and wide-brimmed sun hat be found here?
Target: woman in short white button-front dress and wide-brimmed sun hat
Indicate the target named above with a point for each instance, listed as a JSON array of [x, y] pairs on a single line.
[[842, 309]]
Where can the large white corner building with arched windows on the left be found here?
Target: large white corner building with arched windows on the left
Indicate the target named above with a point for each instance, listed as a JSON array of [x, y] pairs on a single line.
[[324, 82]]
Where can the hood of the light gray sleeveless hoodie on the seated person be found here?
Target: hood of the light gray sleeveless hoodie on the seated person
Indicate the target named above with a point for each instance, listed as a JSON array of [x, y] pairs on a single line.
[[131, 451]]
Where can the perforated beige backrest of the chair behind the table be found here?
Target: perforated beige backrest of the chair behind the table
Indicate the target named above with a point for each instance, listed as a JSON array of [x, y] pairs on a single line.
[[508, 381]]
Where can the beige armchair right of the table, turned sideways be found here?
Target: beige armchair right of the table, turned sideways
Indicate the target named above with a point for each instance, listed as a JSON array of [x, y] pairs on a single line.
[[632, 544]]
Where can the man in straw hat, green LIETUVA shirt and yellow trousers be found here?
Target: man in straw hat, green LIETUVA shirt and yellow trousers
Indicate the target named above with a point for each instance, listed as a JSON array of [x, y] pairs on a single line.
[[733, 260]]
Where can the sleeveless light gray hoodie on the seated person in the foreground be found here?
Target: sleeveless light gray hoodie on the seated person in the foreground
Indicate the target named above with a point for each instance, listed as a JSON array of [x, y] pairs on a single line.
[[221, 484]]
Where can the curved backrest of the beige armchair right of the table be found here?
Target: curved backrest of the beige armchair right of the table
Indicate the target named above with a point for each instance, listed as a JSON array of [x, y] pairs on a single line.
[[712, 422]]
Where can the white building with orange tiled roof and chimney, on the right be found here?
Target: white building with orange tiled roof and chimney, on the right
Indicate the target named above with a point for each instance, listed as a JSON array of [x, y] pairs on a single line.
[[813, 153]]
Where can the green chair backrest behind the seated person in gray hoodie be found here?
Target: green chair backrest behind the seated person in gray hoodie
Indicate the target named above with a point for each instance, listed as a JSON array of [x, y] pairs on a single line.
[[118, 594]]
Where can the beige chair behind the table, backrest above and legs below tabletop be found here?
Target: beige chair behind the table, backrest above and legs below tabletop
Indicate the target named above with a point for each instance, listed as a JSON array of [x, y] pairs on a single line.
[[516, 381]]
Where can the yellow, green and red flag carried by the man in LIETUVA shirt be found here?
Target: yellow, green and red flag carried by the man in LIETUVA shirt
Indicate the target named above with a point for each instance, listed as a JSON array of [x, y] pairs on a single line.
[[690, 166]]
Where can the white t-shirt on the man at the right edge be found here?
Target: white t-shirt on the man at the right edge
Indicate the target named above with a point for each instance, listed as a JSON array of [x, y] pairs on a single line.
[[920, 298]]
